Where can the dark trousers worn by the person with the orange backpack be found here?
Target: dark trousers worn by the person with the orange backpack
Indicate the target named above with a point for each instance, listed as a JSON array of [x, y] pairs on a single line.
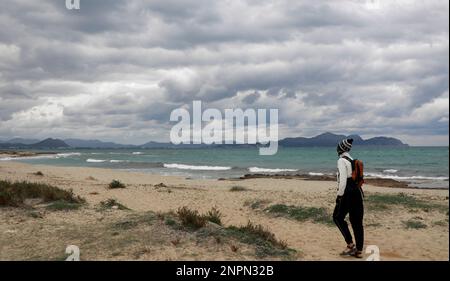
[[351, 203]]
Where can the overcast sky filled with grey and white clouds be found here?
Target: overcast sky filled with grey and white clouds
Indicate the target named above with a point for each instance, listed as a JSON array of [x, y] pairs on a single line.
[[114, 70]]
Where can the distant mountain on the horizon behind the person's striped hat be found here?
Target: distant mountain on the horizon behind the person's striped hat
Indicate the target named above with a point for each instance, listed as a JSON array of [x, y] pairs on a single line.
[[330, 139]]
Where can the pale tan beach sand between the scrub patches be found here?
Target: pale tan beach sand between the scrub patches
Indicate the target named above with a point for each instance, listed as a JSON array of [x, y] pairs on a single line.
[[25, 237]]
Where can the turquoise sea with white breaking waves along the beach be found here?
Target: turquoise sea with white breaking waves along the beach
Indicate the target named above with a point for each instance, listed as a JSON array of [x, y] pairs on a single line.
[[421, 166]]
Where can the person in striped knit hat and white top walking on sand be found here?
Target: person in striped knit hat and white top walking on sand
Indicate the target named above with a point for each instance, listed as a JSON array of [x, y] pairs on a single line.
[[349, 201]]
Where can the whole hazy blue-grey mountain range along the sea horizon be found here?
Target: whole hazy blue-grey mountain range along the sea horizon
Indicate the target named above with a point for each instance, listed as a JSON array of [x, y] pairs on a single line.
[[322, 140]]
